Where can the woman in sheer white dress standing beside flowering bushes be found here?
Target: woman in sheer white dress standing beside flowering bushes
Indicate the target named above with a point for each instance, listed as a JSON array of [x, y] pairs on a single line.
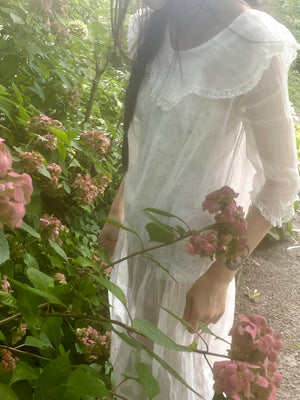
[[207, 106]]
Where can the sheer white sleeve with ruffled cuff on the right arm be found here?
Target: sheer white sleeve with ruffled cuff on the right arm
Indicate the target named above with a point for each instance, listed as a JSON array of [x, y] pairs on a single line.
[[271, 144]]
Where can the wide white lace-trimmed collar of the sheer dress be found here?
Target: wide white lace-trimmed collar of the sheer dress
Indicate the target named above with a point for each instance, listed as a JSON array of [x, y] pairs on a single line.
[[250, 43]]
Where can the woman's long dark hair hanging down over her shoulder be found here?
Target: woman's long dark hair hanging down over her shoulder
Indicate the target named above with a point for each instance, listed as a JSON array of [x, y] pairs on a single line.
[[150, 40]]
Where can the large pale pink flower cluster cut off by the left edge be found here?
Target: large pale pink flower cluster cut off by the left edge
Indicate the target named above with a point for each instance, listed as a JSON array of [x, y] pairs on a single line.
[[15, 191]]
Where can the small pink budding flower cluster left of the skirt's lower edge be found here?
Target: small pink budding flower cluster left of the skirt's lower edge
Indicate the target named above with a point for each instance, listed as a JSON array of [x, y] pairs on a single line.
[[93, 344]]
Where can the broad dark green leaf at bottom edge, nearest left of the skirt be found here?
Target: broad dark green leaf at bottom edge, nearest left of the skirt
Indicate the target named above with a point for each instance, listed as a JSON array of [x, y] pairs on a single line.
[[84, 384]]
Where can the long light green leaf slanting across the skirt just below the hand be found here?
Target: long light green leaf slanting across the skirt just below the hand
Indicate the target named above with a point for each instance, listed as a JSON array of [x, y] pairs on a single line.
[[156, 335]]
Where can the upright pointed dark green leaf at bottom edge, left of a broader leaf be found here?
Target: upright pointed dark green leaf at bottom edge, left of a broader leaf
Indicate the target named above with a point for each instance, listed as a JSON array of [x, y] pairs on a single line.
[[52, 382]]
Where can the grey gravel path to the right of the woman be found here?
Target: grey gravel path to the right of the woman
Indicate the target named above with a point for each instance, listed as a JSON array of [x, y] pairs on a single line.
[[274, 272]]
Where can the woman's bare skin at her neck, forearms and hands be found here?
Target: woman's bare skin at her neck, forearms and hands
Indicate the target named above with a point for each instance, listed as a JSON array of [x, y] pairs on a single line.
[[206, 299]]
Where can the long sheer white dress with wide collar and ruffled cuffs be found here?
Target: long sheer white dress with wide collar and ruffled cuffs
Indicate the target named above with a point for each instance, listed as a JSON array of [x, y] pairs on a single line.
[[219, 114]]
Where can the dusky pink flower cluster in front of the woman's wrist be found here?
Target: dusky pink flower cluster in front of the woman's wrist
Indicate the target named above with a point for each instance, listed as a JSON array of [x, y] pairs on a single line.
[[226, 238]]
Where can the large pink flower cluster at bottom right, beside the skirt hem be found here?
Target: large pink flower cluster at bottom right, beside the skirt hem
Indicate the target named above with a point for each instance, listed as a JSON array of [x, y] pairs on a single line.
[[252, 371]]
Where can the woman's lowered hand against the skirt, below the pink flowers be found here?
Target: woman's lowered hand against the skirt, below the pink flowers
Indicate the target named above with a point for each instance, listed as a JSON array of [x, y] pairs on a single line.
[[206, 299]]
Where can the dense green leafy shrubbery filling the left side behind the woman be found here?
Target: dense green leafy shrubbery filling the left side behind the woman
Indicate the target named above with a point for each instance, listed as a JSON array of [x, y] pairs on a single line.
[[57, 58]]
